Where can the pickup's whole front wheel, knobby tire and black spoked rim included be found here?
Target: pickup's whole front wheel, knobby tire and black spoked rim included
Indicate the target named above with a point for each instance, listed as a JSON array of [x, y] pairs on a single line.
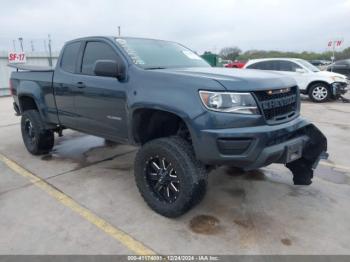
[[168, 176]]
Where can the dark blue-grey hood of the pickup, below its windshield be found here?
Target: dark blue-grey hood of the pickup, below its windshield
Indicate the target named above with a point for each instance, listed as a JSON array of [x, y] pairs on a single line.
[[238, 79]]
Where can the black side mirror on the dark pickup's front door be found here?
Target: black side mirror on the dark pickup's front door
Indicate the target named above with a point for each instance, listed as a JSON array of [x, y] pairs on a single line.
[[109, 68]]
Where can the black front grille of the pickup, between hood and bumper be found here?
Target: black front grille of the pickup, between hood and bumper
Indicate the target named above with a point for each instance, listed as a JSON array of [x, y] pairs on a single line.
[[278, 105]]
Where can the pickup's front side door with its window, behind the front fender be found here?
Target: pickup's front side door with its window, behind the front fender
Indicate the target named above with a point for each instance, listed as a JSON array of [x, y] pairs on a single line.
[[100, 101]]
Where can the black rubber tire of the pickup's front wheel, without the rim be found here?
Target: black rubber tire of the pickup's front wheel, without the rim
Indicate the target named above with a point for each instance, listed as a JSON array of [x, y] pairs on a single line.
[[191, 173]]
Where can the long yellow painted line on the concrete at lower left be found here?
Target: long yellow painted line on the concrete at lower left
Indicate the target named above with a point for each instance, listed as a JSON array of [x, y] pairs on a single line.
[[125, 239]]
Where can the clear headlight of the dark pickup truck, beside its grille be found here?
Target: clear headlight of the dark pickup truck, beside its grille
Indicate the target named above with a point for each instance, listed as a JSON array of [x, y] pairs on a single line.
[[243, 103]]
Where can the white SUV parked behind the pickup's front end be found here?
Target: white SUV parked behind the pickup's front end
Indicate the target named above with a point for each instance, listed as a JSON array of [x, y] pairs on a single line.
[[319, 85]]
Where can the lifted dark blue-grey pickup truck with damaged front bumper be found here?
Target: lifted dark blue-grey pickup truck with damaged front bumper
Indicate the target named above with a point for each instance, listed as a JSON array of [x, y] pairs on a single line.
[[187, 116]]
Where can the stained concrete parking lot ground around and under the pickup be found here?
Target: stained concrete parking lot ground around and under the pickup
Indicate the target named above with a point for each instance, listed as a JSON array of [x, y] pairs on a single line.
[[82, 199]]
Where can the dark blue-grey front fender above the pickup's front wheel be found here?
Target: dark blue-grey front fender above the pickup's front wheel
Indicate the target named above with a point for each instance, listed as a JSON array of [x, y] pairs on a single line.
[[169, 92]]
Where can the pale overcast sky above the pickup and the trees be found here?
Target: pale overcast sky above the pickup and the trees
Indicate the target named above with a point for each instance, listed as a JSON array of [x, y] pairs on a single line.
[[285, 25]]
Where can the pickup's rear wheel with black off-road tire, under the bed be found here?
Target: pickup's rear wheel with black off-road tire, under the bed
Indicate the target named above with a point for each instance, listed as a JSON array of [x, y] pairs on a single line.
[[41, 140]]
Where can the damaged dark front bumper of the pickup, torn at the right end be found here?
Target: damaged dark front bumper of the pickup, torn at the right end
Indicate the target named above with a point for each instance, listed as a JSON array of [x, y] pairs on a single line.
[[255, 147]]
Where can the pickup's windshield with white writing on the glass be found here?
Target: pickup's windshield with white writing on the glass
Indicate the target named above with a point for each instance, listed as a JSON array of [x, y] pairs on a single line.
[[158, 54]]
